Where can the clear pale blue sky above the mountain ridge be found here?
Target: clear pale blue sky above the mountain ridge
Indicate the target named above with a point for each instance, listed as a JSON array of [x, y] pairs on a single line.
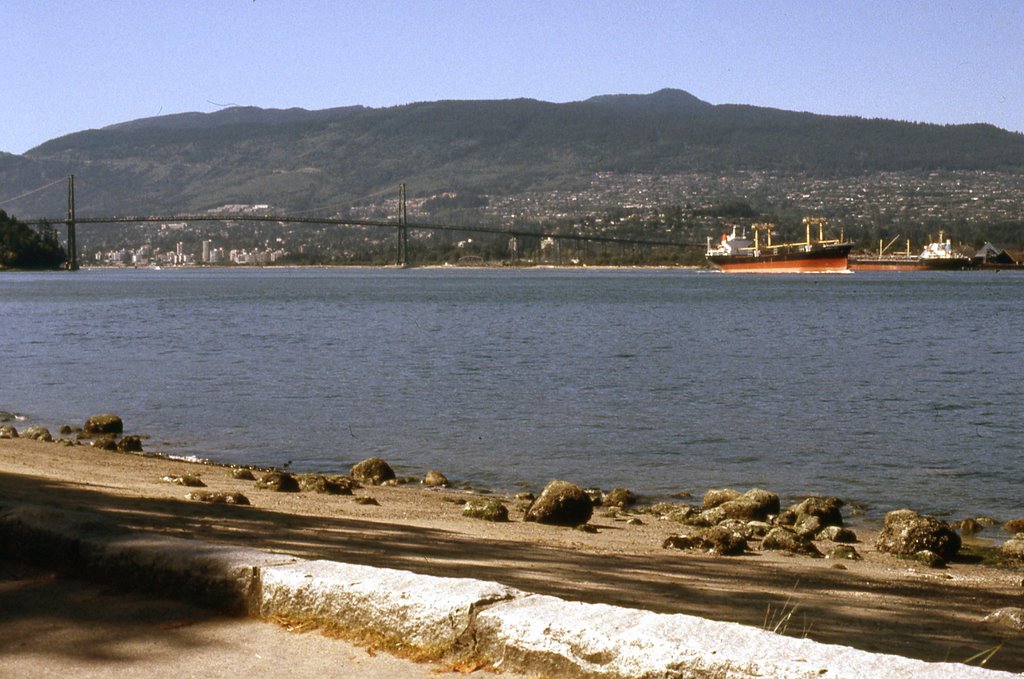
[[68, 66]]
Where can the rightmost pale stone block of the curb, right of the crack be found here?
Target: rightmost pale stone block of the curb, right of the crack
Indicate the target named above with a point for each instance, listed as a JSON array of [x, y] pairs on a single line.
[[554, 638]]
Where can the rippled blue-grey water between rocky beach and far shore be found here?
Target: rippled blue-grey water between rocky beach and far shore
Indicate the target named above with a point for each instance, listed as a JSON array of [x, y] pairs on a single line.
[[884, 389]]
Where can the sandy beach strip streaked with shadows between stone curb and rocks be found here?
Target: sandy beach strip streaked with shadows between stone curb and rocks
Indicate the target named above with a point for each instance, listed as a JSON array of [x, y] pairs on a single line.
[[881, 604]]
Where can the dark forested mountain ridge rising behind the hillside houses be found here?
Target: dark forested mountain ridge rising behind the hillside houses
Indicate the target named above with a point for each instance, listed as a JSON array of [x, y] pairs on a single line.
[[302, 160]]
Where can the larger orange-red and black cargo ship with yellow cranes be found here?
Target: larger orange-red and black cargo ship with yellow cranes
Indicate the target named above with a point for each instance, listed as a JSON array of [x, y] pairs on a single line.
[[736, 254]]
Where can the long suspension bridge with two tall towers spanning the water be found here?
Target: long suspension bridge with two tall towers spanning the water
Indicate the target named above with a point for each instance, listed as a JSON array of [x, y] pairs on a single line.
[[401, 225]]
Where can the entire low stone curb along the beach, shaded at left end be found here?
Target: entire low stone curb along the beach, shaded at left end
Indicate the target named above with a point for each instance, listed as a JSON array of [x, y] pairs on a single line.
[[516, 630]]
